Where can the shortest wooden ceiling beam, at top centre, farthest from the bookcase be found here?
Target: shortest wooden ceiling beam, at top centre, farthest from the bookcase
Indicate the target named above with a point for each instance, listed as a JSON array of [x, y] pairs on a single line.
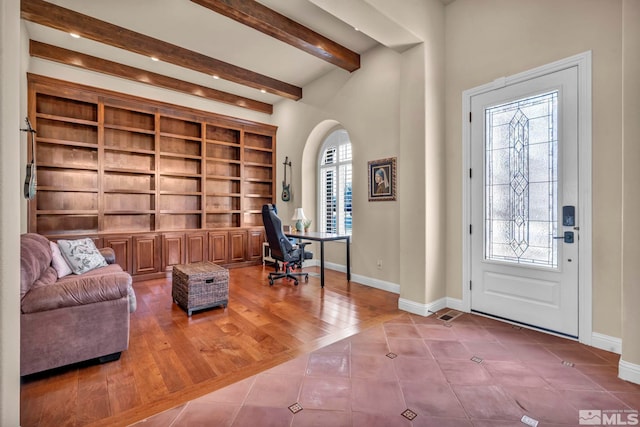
[[268, 21]]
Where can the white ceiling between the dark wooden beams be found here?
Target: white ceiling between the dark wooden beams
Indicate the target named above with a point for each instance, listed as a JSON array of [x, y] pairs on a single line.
[[184, 23]]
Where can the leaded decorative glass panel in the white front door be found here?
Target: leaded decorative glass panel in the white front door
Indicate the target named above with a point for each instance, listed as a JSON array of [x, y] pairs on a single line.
[[521, 181]]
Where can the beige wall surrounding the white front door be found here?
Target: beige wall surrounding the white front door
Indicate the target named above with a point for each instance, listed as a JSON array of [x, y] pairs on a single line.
[[489, 39]]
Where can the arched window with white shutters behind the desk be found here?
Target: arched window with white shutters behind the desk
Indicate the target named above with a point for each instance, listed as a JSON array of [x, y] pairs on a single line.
[[335, 180]]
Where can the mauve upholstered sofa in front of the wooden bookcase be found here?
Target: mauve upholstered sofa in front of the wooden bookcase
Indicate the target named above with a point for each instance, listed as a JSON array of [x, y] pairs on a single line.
[[74, 318]]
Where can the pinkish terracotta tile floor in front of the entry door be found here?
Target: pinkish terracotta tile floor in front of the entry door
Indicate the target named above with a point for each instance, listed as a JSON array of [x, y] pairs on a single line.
[[416, 371]]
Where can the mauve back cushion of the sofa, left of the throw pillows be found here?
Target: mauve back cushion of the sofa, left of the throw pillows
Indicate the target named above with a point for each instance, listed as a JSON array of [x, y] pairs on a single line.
[[35, 258]]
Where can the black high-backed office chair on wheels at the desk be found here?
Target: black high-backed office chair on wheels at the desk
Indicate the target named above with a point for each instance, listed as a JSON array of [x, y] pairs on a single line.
[[282, 249]]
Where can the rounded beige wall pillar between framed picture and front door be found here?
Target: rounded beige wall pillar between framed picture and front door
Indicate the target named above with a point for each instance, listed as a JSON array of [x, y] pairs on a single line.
[[422, 167]]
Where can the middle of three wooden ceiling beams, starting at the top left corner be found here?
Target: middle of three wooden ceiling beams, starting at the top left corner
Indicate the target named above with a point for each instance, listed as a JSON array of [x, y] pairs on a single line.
[[51, 15]]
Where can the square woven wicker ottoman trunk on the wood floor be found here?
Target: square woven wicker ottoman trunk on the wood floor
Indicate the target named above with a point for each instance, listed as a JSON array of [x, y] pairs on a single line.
[[200, 285]]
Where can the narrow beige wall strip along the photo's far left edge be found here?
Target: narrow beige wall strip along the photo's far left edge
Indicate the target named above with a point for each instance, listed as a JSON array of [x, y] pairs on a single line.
[[11, 119]]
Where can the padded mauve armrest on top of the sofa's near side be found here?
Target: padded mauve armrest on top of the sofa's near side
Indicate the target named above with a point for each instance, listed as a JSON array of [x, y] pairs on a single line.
[[78, 290]]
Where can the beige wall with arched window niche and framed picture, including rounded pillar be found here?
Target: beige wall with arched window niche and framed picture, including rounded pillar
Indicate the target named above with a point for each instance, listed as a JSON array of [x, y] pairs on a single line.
[[392, 107]]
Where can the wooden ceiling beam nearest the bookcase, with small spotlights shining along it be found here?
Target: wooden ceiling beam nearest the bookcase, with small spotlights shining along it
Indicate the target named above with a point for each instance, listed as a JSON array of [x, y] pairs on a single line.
[[92, 63]]
